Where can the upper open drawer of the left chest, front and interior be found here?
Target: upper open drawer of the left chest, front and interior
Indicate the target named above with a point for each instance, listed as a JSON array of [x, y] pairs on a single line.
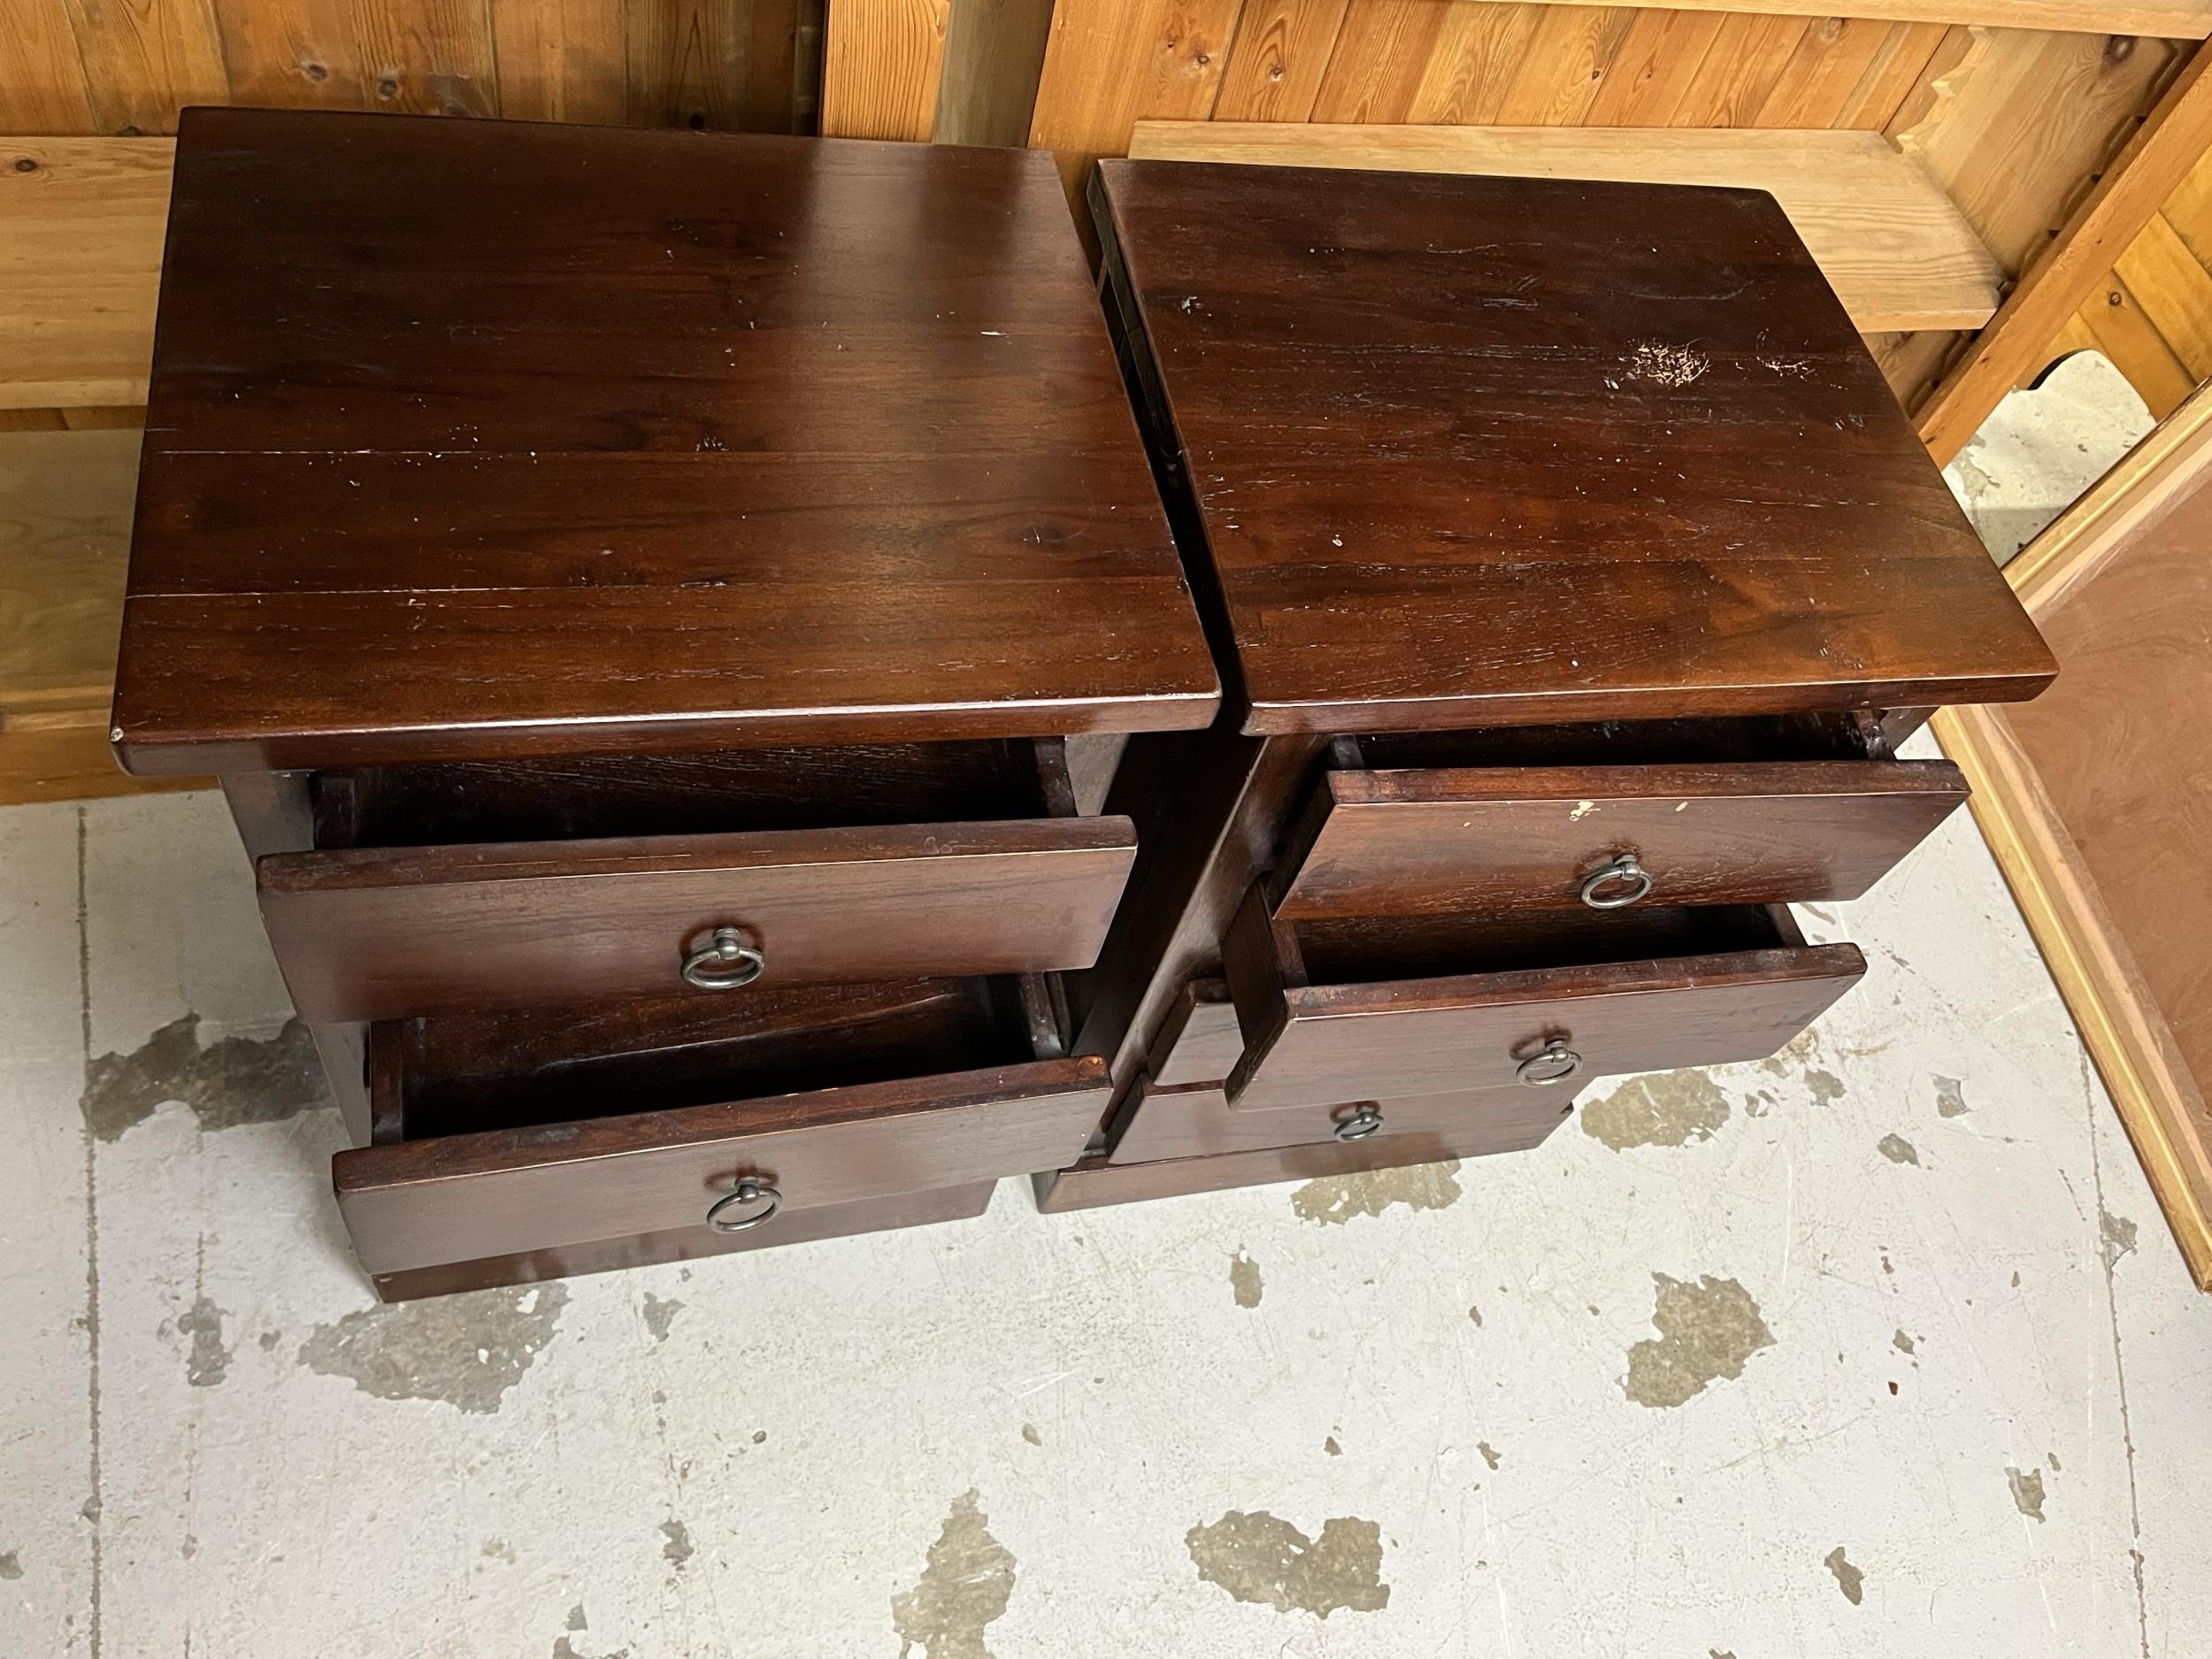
[[514, 886]]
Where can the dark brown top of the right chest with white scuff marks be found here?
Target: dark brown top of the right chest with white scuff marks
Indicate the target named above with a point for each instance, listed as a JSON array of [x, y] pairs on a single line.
[[1479, 452]]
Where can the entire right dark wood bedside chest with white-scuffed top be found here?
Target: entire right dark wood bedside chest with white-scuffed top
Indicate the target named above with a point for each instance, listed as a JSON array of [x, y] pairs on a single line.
[[1572, 574]]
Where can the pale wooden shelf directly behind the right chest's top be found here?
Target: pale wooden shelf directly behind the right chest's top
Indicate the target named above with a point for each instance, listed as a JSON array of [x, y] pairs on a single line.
[[1881, 227]]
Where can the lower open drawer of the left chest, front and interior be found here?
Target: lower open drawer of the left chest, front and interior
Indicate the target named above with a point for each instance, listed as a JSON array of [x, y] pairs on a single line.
[[528, 1145]]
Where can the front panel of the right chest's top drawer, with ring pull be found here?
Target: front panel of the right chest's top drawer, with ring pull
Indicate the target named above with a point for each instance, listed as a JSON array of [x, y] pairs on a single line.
[[1488, 839]]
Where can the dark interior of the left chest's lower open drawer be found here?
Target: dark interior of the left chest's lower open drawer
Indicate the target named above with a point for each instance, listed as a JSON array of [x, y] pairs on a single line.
[[497, 1072]]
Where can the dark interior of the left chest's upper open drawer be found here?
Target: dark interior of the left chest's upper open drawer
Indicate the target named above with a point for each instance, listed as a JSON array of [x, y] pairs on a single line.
[[678, 795]]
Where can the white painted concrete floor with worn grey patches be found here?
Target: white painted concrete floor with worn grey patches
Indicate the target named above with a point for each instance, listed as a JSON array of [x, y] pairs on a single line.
[[1872, 1348]]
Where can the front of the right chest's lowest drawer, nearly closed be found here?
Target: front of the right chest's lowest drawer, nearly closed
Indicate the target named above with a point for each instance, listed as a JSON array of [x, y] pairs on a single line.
[[1200, 1123]]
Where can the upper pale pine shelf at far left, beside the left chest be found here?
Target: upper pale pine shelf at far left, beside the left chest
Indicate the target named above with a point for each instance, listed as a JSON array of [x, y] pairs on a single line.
[[81, 264]]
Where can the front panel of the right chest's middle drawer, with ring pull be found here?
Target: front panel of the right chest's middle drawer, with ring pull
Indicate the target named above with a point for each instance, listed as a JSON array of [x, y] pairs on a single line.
[[1479, 1032]]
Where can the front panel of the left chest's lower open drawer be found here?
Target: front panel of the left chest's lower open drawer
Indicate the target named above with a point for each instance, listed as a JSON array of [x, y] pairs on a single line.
[[468, 1198]]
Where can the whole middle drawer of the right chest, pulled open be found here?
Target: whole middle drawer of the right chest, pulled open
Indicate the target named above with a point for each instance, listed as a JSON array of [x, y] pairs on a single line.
[[1543, 1001]]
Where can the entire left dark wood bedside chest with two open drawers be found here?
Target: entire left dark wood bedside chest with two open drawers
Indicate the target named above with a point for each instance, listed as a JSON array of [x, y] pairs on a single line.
[[640, 594]]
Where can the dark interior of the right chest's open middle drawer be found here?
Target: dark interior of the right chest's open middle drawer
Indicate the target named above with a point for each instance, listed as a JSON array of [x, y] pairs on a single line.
[[1366, 950]]
